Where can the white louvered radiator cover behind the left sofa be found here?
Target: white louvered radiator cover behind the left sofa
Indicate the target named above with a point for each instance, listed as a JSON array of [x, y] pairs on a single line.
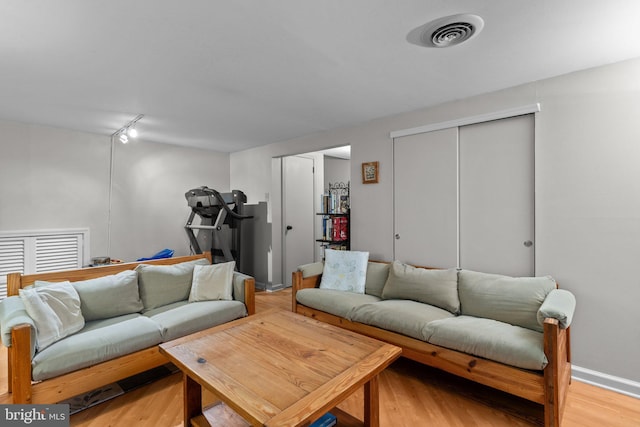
[[38, 251]]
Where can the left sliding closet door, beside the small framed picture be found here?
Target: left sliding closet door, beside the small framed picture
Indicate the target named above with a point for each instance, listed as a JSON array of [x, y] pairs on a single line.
[[425, 198]]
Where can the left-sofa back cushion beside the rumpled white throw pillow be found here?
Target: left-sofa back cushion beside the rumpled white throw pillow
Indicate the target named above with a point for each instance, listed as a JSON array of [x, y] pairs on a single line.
[[108, 296]]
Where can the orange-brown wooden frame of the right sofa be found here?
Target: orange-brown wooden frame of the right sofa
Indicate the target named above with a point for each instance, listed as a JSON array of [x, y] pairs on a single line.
[[548, 387]]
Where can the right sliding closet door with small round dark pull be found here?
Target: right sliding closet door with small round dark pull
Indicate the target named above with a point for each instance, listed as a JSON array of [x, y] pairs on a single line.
[[497, 196]]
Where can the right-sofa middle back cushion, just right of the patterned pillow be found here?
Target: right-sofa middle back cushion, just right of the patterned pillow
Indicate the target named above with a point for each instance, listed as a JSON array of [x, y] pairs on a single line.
[[435, 287]]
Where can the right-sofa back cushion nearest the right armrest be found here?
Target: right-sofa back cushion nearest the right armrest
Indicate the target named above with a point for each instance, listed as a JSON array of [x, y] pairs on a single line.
[[513, 300]]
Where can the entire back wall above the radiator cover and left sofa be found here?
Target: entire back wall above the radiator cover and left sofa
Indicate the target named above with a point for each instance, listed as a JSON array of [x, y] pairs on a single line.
[[55, 178]]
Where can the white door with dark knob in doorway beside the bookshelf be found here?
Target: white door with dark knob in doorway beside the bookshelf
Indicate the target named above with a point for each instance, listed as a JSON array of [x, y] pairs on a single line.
[[297, 214]]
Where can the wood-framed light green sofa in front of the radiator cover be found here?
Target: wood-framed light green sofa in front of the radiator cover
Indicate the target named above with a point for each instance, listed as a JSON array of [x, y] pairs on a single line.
[[128, 309]]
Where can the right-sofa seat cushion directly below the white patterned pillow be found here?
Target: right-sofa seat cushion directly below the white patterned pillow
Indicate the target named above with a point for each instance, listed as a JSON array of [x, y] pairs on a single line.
[[338, 303]]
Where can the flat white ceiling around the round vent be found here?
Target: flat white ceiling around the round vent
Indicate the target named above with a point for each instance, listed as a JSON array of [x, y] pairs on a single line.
[[230, 75]]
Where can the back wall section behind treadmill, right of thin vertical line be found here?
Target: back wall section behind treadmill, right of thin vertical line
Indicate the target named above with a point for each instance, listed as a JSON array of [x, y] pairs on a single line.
[[149, 209]]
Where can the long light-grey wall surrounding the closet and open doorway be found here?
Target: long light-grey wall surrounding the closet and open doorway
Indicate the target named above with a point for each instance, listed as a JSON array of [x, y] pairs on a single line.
[[587, 196]]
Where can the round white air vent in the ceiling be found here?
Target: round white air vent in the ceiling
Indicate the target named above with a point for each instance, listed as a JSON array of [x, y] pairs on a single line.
[[447, 31]]
